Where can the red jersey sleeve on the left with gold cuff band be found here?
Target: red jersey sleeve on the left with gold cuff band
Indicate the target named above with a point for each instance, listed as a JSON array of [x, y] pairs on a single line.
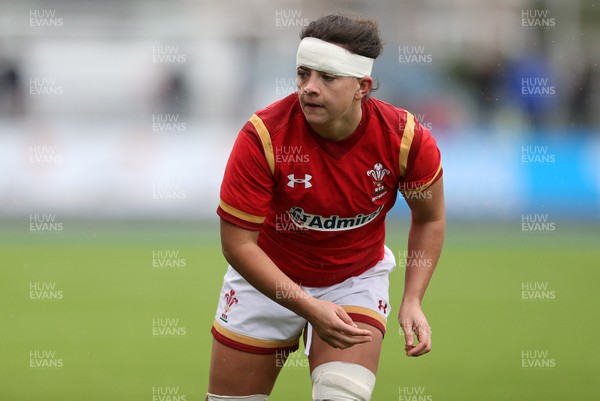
[[247, 186]]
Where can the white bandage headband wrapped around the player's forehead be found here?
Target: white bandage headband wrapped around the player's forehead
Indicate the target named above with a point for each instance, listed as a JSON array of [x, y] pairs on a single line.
[[319, 55]]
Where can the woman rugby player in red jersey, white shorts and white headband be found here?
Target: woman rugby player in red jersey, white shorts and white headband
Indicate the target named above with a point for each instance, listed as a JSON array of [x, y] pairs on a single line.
[[303, 203]]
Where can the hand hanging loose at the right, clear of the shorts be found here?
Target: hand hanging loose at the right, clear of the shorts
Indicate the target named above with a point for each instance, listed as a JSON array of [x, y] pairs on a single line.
[[413, 321]]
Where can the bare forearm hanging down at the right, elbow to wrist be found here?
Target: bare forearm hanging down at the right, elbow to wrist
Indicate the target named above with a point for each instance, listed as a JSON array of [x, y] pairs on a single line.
[[425, 242]]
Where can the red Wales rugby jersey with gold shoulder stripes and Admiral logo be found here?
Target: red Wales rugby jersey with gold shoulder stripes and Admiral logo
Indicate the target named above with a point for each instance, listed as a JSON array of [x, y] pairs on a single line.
[[320, 204]]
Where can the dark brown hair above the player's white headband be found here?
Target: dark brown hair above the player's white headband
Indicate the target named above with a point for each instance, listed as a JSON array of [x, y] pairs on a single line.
[[356, 34]]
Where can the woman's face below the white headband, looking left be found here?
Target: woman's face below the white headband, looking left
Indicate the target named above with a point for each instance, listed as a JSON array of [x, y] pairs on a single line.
[[327, 99]]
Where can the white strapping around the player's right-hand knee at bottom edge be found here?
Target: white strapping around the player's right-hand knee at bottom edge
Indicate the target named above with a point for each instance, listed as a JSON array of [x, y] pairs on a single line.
[[342, 381]]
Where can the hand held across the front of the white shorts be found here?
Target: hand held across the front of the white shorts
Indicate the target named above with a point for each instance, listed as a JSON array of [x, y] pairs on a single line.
[[335, 327]]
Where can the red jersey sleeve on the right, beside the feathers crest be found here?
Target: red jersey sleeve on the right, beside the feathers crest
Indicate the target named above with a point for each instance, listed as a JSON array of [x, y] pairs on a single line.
[[424, 164]]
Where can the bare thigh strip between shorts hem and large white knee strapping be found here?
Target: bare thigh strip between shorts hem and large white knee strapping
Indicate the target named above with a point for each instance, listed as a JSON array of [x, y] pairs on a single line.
[[366, 354]]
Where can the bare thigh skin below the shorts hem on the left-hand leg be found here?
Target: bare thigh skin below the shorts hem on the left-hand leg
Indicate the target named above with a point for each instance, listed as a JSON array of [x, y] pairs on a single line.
[[238, 373]]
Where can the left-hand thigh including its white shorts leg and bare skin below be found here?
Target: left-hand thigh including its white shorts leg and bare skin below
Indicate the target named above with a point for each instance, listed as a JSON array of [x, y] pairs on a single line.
[[252, 337]]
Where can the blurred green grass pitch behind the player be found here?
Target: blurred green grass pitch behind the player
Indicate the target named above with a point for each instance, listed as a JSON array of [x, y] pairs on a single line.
[[490, 341]]
